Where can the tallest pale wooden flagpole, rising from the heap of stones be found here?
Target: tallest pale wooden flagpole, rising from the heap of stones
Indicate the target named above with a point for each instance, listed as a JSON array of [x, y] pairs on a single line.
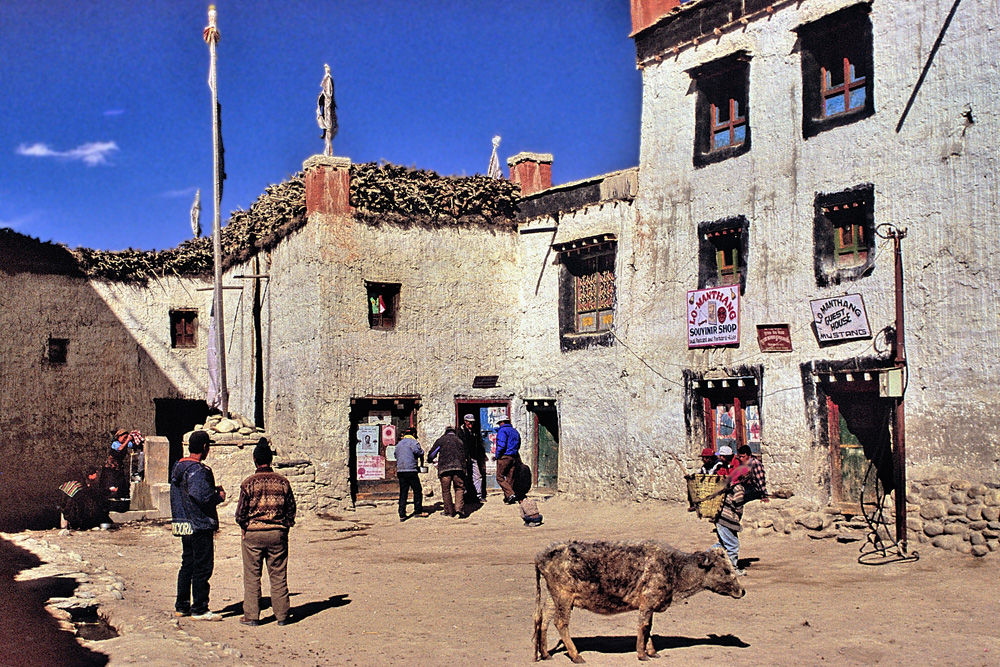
[[211, 35]]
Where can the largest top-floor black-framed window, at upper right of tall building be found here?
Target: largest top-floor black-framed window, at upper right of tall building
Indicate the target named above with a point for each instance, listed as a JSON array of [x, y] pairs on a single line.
[[837, 68]]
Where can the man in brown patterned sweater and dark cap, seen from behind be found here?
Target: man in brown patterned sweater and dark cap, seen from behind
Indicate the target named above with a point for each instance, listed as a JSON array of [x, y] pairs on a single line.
[[265, 512]]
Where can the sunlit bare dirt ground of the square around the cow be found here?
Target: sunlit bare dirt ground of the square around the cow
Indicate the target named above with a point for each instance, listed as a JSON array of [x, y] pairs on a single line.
[[369, 590]]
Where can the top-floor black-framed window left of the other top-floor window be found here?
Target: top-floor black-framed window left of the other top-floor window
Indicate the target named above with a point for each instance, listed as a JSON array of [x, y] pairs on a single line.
[[722, 114]]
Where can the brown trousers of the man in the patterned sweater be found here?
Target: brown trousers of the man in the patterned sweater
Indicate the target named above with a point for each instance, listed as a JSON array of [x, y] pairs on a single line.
[[271, 547]]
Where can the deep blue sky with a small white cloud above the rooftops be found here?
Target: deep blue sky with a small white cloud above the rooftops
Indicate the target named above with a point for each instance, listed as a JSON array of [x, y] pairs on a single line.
[[106, 127]]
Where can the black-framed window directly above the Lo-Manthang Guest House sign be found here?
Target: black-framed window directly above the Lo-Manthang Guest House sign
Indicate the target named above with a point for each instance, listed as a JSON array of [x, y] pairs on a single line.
[[844, 235]]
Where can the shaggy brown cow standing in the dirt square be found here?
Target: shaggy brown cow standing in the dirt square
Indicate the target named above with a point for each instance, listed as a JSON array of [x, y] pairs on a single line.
[[613, 577]]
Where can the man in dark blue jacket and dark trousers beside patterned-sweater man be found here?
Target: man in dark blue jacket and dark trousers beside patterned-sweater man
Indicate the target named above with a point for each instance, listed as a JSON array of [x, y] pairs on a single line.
[[194, 498]]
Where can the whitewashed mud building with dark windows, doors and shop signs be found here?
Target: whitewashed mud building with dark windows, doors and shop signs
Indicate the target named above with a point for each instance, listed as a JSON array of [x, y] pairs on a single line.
[[736, 287]]
